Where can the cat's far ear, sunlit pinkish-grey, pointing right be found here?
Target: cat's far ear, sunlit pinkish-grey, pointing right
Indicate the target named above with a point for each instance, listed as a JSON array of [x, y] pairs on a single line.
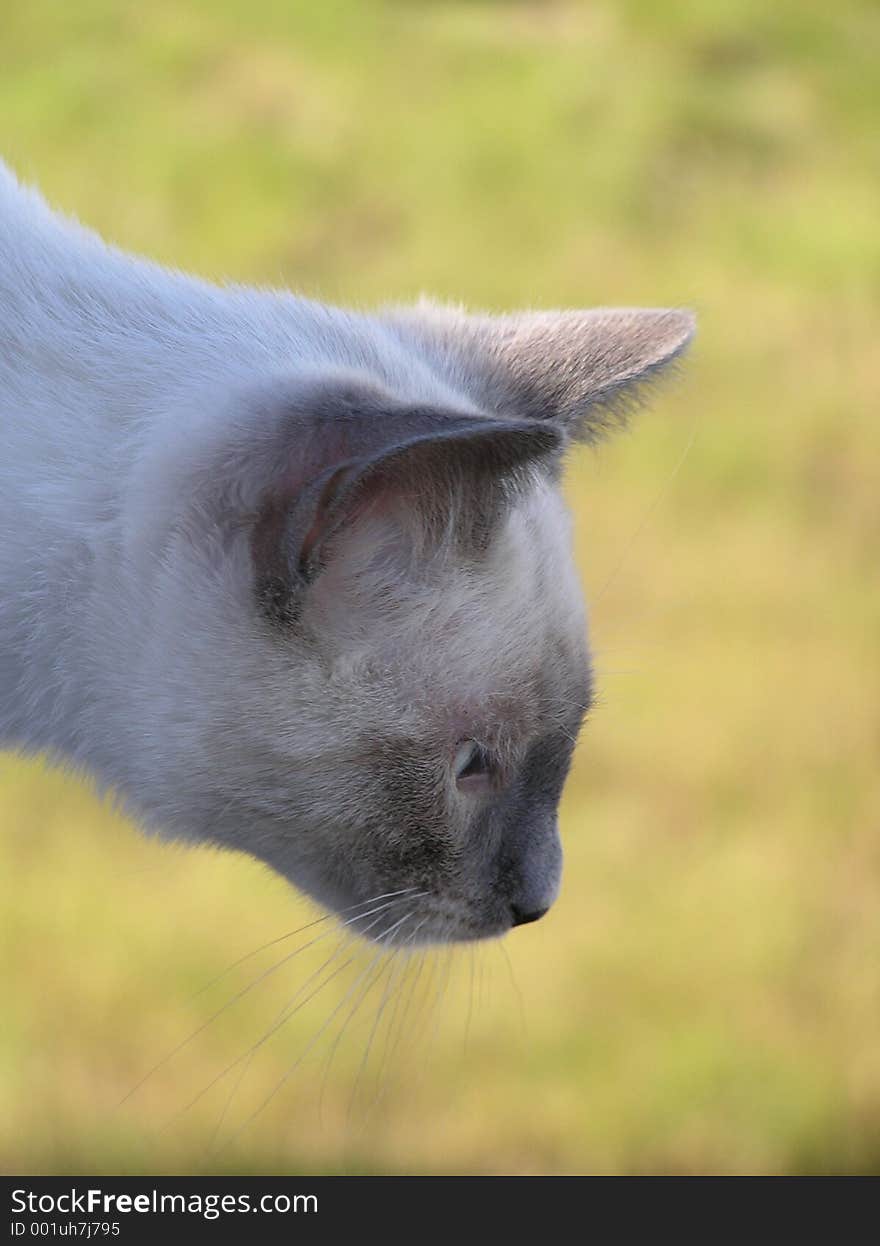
[[581, 371]]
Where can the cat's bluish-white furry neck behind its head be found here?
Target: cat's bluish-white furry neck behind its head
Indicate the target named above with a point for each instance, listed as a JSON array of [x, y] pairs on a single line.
[[99, 356]]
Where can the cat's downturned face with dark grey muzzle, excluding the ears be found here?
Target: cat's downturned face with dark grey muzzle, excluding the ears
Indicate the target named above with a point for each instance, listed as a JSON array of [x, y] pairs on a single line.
[[446, 693]]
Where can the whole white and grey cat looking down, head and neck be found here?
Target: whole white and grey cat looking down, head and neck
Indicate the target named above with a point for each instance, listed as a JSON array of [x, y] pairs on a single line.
[[299, 581]]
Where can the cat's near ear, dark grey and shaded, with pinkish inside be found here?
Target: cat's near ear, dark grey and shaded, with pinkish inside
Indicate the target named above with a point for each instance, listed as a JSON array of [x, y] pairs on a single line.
[[436, 475]]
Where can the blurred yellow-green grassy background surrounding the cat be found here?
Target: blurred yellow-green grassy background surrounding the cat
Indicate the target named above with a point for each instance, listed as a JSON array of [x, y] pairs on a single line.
[[706, 996]]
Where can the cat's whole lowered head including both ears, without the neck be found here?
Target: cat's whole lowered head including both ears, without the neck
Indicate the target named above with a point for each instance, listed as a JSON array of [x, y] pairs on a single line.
[[368, 661]]
